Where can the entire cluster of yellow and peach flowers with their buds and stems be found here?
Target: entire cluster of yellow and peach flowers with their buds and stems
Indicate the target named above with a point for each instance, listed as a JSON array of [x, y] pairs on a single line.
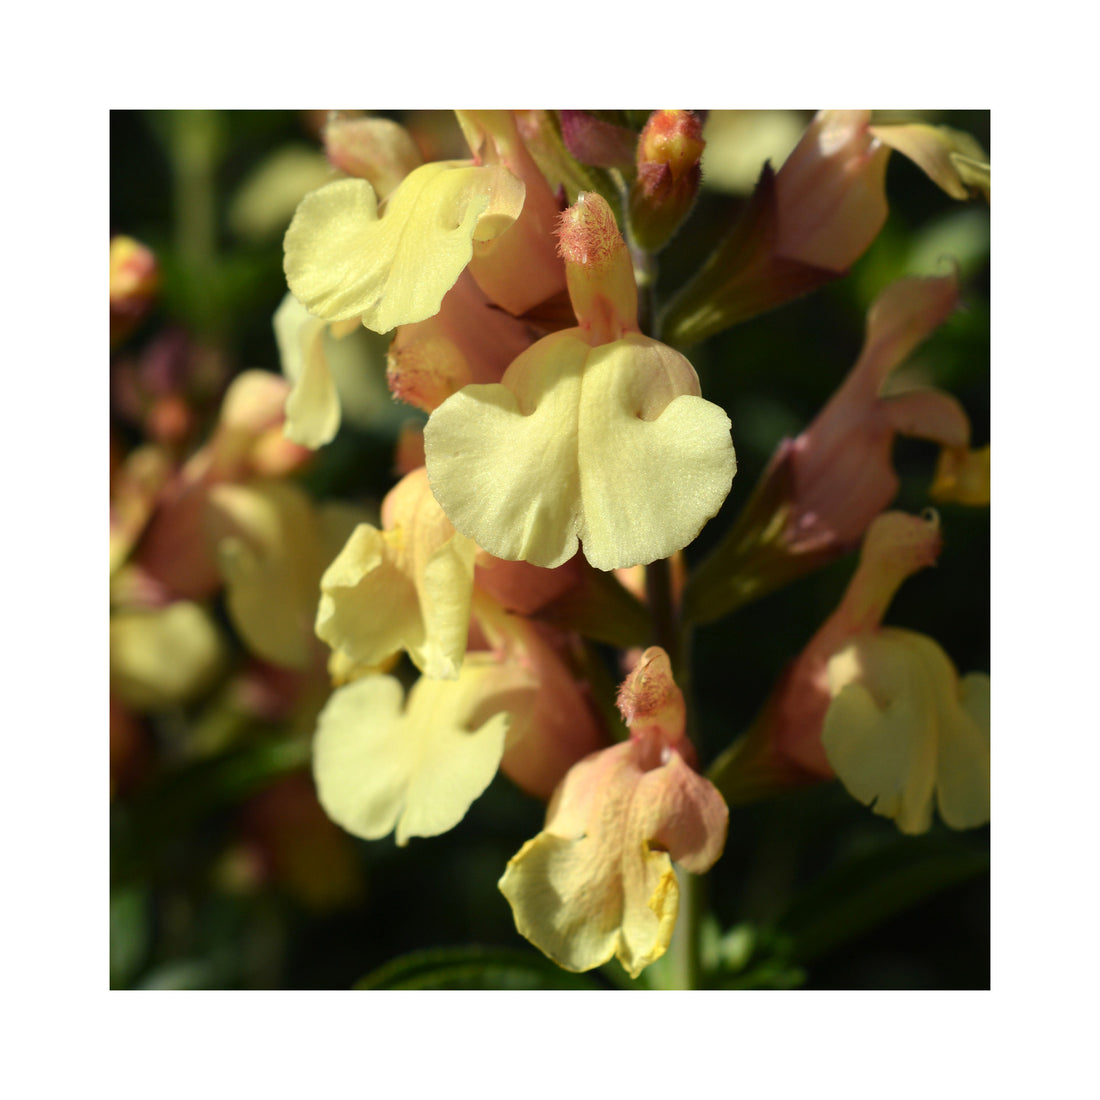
[[530, 557]]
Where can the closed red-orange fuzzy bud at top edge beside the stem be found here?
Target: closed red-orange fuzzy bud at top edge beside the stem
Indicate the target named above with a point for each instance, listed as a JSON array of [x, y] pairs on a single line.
[[669, 152]]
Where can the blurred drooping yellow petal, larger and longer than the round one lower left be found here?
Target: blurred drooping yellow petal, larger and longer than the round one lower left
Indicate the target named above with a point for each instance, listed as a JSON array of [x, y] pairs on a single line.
[[272, 546]]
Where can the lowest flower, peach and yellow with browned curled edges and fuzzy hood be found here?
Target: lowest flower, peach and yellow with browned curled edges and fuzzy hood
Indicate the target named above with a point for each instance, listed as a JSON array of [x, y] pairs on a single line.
[[599, 881]]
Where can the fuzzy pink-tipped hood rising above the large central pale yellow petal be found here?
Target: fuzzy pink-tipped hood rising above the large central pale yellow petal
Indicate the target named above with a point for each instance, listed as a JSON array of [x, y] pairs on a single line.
[[599, 272]]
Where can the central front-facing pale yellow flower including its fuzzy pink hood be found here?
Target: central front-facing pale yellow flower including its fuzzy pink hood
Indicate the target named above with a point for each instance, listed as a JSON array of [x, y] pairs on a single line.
[[597, 435]]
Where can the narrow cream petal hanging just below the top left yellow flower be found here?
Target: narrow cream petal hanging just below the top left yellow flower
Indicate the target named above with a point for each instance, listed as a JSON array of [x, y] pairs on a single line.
[[313, 406]]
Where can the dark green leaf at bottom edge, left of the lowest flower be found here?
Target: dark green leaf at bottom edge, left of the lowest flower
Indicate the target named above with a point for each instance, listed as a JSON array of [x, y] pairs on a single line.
[[474, 969]]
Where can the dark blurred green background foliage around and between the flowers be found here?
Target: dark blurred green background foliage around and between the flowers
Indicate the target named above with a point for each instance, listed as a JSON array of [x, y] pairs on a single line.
[[226, 873]]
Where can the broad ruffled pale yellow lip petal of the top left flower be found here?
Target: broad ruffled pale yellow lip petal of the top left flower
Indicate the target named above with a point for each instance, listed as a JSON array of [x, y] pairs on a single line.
[[344, 259]]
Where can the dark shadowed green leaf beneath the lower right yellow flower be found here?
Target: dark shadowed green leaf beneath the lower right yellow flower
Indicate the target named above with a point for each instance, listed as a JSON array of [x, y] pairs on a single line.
[[864, 893]]
